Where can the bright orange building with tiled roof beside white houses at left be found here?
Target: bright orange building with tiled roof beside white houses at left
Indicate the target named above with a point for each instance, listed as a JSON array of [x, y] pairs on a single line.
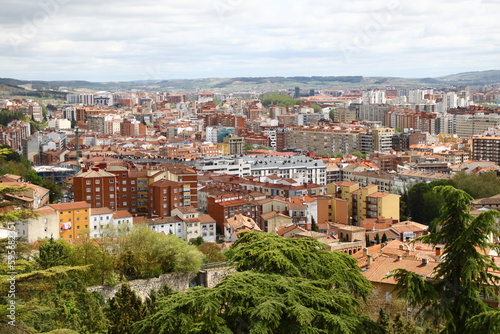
[[74, 220]]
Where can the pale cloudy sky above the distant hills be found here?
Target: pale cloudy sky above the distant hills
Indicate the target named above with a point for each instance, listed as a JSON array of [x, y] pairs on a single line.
[[110, 40]]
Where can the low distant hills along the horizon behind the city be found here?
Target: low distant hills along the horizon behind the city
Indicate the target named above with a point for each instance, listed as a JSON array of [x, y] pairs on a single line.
[[264, 83]]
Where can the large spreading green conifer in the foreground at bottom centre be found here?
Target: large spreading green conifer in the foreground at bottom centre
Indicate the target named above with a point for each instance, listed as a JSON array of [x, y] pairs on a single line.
[[281, 286]]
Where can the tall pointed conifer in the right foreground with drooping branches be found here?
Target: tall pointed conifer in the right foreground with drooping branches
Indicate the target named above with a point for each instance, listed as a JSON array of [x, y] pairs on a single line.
[[451, 297]]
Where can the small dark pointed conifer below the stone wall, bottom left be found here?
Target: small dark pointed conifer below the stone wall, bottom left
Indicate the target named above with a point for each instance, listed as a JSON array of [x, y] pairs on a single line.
[[124, 310]]
